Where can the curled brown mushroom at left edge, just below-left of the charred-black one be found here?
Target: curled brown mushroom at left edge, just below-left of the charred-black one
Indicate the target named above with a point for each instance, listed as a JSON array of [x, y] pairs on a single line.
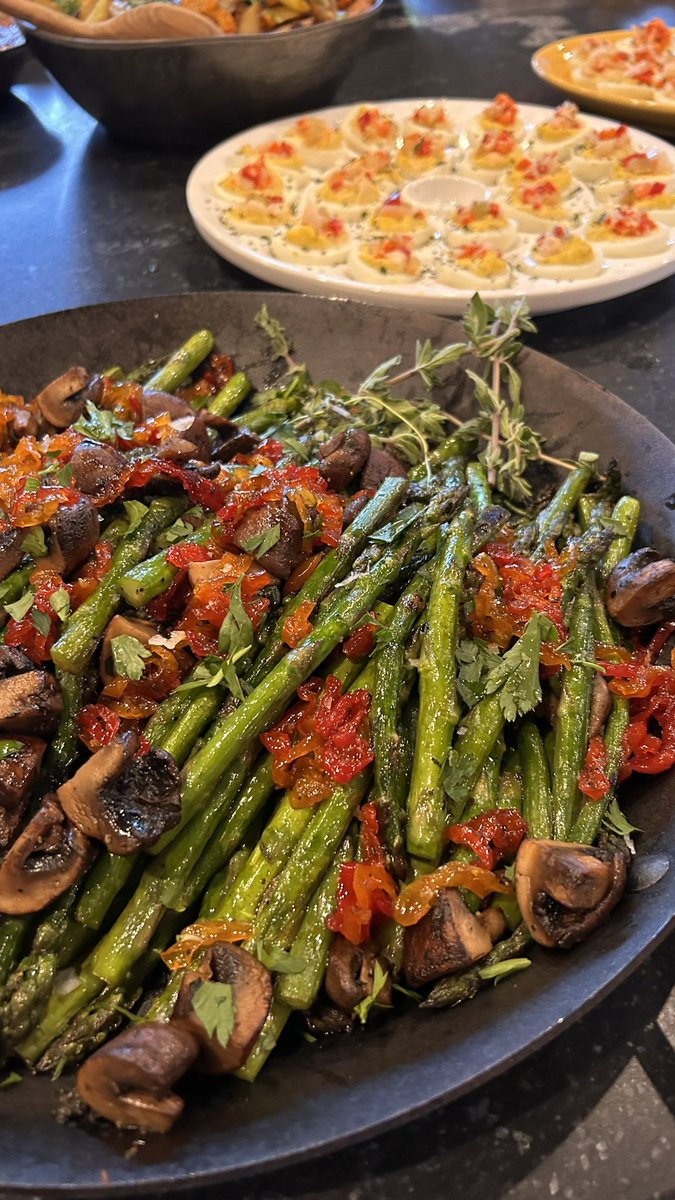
[[46, 859]]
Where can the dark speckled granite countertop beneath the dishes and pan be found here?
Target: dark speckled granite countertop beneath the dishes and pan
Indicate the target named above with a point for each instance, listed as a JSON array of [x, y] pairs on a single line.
[[83, 220]]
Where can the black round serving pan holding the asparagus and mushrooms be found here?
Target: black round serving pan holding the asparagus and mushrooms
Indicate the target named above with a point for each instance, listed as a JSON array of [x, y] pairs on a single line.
[[314, 1097]]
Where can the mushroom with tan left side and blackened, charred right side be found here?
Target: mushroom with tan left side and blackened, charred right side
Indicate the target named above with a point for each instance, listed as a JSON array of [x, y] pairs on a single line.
[[126, 802]]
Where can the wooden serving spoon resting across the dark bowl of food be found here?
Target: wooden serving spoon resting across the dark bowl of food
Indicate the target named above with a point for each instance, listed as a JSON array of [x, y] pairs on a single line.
[[151, 22]]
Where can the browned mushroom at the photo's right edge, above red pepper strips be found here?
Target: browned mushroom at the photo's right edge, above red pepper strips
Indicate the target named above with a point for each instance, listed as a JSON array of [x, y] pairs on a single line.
[[641, 590]]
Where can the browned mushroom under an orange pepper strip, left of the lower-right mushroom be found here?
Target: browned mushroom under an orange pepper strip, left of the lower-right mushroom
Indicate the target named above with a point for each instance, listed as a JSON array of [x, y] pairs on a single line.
[[450, 938]]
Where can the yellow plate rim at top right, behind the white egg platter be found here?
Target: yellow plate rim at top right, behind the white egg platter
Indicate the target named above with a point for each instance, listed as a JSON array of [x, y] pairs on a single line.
[[555, 63]]
